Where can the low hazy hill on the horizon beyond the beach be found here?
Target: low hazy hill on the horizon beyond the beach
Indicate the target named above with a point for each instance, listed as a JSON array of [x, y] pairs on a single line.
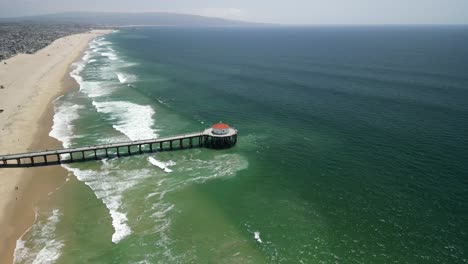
[[123, 19]]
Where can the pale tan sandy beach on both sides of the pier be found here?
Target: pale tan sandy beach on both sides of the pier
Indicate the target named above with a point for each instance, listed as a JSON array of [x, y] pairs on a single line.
[[31, 84]]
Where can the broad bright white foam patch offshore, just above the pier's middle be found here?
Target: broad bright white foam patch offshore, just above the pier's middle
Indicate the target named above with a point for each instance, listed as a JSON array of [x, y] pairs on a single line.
[[133, 120]]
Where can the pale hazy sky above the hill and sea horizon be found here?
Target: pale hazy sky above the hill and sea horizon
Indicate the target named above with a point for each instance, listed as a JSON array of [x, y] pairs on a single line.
[[275, 11]]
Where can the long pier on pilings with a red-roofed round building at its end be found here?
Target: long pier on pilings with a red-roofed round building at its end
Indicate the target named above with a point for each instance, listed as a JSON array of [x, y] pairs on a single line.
[[217, 137]]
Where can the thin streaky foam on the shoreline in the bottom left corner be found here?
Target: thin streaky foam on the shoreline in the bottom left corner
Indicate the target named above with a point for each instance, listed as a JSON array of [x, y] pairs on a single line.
[[39, 244]]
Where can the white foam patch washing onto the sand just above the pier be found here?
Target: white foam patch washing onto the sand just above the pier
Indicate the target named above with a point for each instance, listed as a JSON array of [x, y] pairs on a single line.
[[62, 129]]
